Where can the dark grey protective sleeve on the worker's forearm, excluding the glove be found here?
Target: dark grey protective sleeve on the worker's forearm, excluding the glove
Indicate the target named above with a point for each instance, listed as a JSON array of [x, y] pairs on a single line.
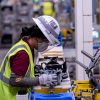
[[23, 82]]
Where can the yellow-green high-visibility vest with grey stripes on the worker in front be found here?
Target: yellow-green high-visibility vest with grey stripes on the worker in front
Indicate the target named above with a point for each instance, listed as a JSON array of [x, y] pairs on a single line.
[[8, 92]]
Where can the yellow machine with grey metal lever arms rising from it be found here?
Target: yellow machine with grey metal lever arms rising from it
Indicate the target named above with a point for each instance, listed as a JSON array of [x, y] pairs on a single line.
[[88, 89]]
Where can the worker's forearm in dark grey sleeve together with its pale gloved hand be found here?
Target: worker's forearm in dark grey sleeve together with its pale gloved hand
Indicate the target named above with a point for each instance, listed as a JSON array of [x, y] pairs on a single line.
[[43, 79]]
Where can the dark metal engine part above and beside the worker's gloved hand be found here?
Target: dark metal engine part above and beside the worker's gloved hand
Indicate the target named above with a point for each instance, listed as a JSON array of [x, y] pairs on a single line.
[[52, 65]]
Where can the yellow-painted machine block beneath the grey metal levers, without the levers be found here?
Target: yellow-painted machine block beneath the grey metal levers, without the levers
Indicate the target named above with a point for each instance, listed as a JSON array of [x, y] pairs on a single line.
[[86, 87]]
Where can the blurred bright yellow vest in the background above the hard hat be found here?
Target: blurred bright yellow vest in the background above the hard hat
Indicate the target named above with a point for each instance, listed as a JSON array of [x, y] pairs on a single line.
[[48, 8]]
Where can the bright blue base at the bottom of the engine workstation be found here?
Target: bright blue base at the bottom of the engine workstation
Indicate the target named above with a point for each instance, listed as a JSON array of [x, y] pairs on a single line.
[[59, 96]]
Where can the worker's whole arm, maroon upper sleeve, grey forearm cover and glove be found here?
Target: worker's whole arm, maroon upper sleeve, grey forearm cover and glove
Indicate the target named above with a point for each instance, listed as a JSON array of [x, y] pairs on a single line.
[[19, 65]]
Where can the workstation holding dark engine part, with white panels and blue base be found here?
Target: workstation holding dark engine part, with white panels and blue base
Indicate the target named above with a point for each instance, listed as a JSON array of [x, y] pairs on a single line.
[[53, 62]]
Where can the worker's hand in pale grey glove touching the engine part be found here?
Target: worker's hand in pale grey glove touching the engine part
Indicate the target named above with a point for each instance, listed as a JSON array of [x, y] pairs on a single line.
[[46, 79]]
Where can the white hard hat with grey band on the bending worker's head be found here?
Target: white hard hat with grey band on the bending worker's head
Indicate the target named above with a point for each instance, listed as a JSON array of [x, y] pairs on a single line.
[[49, 27]]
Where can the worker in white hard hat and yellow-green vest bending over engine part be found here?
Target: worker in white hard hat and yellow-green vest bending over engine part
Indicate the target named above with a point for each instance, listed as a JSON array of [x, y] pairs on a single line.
[[17, 68]]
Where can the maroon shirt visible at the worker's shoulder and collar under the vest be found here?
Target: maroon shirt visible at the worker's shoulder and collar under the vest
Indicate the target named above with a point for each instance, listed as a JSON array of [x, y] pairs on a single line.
[[20, 62]]
